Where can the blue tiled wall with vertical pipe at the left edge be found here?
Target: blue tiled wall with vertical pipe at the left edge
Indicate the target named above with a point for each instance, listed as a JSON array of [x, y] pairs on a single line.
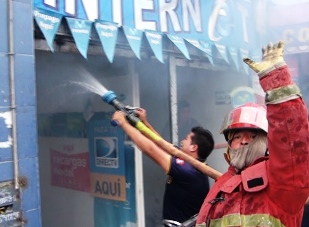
[[26, 121]]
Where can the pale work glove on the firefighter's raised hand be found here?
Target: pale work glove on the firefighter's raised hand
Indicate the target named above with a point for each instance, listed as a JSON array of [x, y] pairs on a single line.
[[272, 58]]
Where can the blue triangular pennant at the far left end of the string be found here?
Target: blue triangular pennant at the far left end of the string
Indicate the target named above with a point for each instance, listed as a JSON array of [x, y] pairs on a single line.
[[48, 23]]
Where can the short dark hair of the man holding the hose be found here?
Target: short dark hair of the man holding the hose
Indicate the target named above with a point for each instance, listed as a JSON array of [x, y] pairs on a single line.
[[204, 140]]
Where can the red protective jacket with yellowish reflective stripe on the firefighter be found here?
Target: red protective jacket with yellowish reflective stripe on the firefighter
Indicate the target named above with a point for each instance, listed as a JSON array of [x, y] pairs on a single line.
[[272, 191]]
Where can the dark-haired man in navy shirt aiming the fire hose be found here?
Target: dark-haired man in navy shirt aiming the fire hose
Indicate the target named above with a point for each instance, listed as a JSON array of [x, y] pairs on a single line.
[[186, 187]]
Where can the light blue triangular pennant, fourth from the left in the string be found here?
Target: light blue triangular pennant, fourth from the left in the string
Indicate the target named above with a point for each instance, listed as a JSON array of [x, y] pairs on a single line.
[[134, 37]]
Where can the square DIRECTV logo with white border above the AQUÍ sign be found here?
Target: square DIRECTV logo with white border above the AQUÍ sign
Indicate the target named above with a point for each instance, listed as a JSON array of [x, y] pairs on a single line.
[[106, 152]]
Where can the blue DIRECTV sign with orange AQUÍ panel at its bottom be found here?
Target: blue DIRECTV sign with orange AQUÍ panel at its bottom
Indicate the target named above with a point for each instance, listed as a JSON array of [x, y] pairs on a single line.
[[107, 163]]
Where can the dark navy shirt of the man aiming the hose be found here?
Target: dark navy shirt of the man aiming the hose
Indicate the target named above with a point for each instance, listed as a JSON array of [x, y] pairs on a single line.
[[185, 190]]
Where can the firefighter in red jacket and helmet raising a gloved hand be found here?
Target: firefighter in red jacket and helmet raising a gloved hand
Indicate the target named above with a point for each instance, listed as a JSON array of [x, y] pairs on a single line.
[[267, 182]]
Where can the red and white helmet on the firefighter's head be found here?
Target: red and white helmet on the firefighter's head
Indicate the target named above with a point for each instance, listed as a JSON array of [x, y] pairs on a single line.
[[247, 116]]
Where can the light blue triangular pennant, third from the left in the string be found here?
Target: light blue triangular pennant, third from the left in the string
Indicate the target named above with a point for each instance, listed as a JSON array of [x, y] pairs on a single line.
[[108, 33]]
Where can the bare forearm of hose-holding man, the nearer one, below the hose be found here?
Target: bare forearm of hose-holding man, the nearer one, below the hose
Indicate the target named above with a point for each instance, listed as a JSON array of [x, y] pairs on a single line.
[[145, 145]]
